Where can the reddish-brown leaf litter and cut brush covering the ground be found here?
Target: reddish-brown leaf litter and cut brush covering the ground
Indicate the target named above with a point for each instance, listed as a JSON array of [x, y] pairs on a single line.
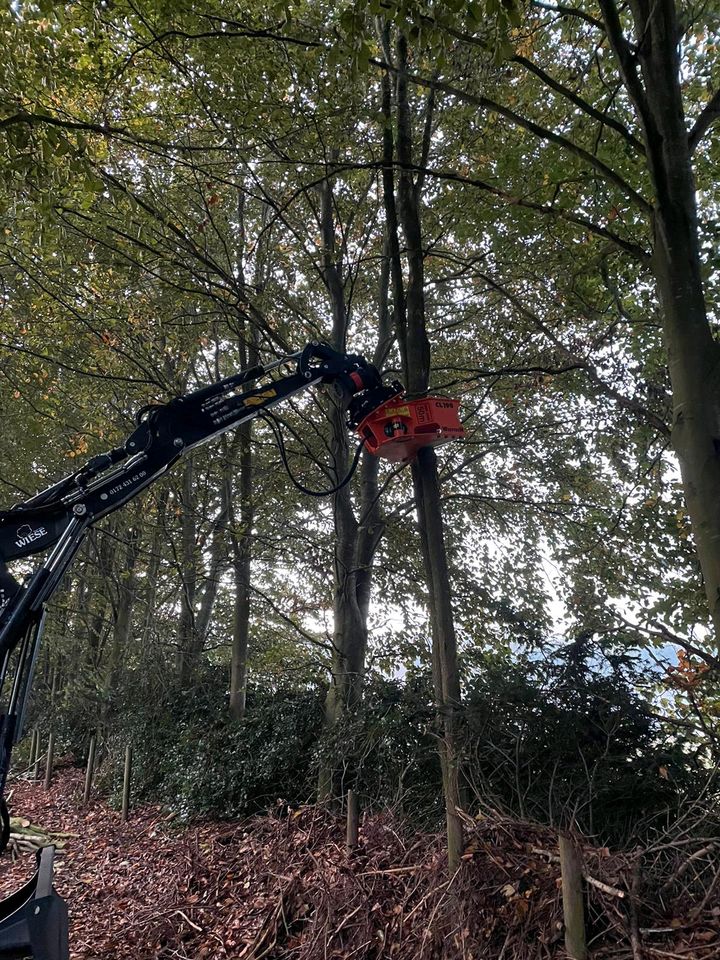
[[284, 888]]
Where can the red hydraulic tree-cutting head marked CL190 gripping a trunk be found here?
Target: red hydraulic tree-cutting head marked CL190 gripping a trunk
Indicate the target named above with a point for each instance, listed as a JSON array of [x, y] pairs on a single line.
[[398, 428]]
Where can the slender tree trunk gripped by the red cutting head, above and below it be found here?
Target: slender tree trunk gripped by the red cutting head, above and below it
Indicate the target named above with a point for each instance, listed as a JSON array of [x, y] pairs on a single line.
[[415, 350]]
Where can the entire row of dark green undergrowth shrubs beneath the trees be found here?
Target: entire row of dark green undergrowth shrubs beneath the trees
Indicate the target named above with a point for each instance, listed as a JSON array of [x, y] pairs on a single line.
[[560, 740]]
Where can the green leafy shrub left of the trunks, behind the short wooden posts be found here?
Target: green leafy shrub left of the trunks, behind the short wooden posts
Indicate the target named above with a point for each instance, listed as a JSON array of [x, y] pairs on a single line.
[[199, 761]]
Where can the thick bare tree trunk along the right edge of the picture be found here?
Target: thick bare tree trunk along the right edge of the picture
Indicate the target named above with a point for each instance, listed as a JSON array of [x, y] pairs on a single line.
[[693, 354]]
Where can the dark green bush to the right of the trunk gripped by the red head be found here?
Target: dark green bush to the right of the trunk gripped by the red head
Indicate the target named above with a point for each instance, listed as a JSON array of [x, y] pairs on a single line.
[[568, 740]]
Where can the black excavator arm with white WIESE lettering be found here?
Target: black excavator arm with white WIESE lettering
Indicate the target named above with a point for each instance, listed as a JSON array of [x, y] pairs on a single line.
[[33, 921]]
